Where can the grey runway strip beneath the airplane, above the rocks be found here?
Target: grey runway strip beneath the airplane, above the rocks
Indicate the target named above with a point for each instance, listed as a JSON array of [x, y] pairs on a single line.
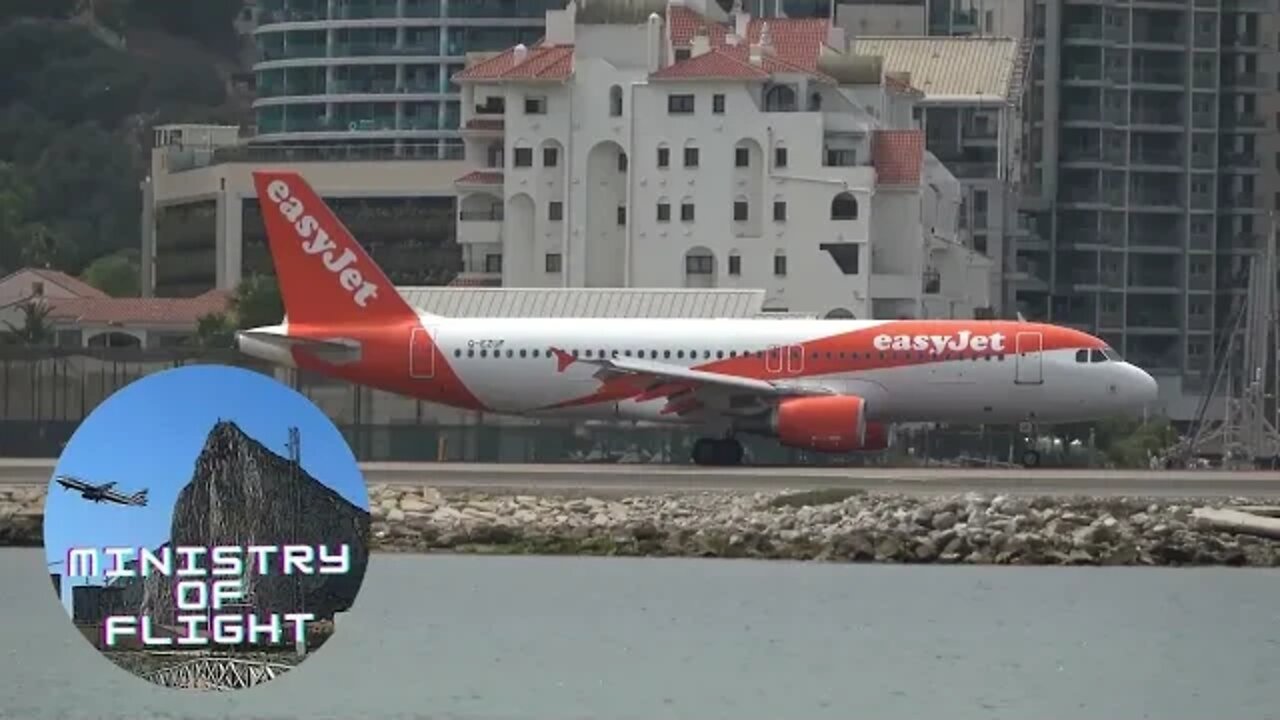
[[614, 479]]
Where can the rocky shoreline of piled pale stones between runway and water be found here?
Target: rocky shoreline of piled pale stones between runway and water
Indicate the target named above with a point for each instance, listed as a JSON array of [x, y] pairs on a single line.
[[826, 526]]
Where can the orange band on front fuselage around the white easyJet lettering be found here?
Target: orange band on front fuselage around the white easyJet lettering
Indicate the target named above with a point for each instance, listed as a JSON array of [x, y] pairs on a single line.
[[856, 352]]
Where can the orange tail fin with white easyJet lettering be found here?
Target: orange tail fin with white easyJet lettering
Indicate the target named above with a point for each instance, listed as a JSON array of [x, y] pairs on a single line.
[[326, 276]]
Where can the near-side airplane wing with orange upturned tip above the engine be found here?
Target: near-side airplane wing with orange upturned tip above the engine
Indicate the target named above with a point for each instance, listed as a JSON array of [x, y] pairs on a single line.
[[687, 390]]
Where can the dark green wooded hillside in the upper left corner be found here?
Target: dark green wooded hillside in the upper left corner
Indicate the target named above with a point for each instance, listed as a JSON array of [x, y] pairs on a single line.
[[85, 83]]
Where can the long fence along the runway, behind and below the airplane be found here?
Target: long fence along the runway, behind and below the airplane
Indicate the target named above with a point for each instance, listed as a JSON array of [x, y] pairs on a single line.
[[47, 393]]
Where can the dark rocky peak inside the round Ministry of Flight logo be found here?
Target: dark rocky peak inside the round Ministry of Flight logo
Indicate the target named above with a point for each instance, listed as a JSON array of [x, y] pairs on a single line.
[[245, 495]]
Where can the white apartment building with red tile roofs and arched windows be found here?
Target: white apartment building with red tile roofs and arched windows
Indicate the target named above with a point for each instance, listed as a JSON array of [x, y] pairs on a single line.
[[671, 144]]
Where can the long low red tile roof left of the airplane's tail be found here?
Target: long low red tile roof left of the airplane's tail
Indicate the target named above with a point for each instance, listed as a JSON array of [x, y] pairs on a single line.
[[140, 311]]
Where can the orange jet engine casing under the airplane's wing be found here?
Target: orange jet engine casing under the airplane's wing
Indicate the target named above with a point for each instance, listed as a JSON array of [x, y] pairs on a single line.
[[833, 423]]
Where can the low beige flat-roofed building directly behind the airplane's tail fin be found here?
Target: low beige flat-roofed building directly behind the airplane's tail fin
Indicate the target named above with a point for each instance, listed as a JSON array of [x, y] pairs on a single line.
[[203, 230]]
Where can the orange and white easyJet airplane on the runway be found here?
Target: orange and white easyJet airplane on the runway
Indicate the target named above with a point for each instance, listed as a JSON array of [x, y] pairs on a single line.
[[830, 386]]
